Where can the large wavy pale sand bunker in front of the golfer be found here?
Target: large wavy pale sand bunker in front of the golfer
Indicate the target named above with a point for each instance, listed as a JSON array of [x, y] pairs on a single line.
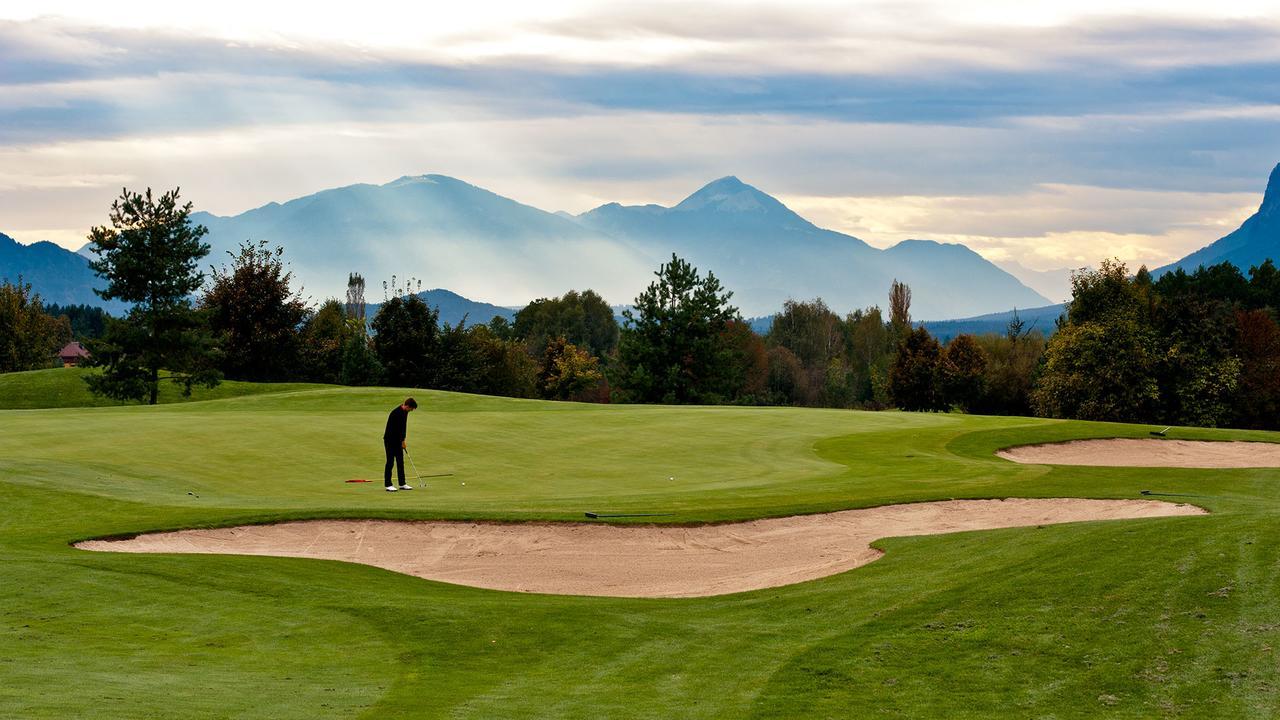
[[596, 559]]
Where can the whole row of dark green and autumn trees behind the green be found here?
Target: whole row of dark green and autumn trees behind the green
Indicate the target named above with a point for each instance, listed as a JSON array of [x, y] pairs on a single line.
[[1200, 349]]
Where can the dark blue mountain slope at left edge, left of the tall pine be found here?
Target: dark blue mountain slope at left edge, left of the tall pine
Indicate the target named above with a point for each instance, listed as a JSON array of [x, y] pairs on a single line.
[[58, 275]]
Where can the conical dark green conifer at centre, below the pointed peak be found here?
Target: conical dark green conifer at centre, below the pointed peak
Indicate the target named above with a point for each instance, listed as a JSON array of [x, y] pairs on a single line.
[[673, 349]]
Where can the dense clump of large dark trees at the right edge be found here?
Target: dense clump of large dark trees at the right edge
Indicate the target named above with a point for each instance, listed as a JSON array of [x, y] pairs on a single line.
[[1190, 349]]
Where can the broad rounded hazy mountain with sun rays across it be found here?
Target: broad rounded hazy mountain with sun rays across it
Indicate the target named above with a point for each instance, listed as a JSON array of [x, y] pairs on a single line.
[[436, 229]]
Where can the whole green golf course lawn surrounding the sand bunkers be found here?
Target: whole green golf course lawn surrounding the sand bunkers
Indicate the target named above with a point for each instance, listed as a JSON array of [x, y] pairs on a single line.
[[1156, 618]]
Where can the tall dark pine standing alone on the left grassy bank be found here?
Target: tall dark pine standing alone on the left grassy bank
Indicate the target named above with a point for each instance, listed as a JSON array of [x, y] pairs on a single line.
[[149, 258]]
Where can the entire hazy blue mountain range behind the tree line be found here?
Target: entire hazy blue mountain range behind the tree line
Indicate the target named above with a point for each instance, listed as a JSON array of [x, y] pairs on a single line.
[[482, 245]]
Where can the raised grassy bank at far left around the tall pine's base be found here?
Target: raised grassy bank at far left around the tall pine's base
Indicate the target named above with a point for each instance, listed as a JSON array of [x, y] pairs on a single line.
[[65, 388]]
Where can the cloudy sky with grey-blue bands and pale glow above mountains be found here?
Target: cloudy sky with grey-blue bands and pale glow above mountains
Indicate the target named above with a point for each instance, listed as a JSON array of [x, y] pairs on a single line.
[[1044, 134]]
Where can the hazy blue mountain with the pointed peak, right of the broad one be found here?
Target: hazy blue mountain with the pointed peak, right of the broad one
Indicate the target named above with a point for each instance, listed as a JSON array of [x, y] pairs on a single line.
[[769, 254]]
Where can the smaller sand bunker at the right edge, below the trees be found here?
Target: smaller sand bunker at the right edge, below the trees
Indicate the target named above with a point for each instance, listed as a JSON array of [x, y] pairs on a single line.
[[1121, 453]]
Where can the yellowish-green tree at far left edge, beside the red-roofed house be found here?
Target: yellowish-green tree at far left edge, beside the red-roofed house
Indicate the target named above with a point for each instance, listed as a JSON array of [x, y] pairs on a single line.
[[30, 339]]
